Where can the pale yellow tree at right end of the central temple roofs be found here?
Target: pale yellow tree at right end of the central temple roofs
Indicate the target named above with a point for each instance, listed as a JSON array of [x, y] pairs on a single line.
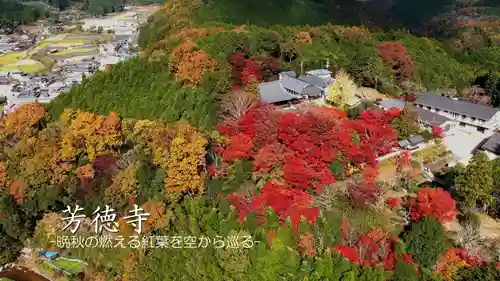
[[341, 90]]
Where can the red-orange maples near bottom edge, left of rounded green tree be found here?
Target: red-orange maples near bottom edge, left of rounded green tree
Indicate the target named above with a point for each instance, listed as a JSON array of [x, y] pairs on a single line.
[[374, 248]]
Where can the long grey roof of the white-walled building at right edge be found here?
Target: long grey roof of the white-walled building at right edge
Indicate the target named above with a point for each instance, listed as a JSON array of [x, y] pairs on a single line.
[[460, 107]]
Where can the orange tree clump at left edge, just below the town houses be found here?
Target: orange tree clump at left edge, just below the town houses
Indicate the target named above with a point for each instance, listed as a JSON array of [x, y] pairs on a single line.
[[22, 118]]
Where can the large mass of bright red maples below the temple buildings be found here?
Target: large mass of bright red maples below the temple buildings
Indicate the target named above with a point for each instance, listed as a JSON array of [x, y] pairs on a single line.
[[299, 148]]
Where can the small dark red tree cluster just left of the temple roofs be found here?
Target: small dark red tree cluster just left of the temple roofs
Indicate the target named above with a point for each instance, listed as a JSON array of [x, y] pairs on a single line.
[[246, 69]]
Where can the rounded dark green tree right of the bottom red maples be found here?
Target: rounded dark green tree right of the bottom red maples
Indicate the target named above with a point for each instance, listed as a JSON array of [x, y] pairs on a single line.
[[426, 241]]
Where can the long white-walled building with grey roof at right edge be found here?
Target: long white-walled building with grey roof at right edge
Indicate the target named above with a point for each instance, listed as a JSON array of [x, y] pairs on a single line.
[[466, 114]]
